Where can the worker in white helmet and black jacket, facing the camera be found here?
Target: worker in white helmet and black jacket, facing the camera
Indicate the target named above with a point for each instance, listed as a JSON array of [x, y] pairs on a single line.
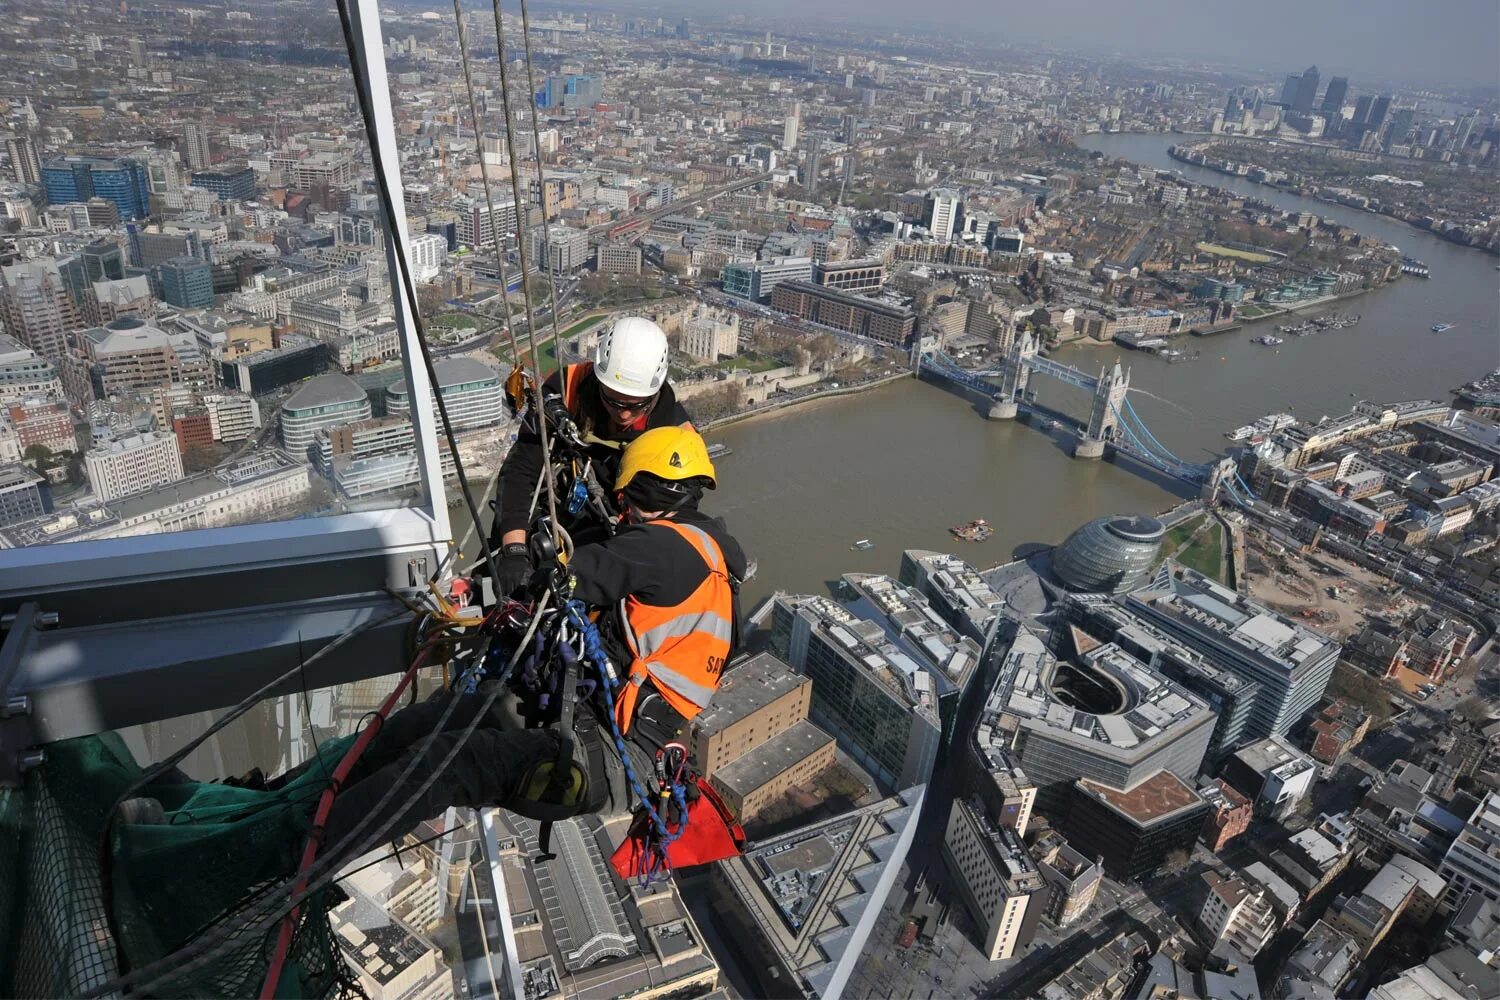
[[613, 401]]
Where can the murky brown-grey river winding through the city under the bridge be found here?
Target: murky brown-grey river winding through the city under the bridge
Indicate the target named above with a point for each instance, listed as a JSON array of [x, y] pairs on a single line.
[[899, 466]]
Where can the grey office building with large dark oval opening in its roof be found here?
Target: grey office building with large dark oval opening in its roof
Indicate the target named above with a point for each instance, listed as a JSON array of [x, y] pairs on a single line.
[[1105, 716]]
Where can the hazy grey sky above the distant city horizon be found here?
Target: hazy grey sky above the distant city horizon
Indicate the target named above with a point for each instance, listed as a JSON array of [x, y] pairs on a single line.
[[1438, 41]]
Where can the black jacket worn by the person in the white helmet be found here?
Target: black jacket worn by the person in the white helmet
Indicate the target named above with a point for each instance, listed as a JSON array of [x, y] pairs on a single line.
[[523, 467]]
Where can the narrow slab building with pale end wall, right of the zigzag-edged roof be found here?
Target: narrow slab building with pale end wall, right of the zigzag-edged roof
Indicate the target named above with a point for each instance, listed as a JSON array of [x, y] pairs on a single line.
[[997, 879]]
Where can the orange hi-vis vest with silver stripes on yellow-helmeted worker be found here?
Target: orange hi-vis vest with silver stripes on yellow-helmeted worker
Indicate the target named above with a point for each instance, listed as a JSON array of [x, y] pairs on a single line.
[[682, 650]]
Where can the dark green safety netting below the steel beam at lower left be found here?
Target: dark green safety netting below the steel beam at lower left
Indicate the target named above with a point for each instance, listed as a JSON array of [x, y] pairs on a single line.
[[173, 882]]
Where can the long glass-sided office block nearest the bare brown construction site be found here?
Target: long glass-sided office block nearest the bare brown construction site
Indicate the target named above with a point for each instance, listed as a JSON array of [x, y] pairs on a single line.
[[1289, 662]]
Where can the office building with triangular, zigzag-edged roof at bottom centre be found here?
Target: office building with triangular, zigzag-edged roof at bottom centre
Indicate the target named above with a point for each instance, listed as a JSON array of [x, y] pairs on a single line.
[[802, 906]]
